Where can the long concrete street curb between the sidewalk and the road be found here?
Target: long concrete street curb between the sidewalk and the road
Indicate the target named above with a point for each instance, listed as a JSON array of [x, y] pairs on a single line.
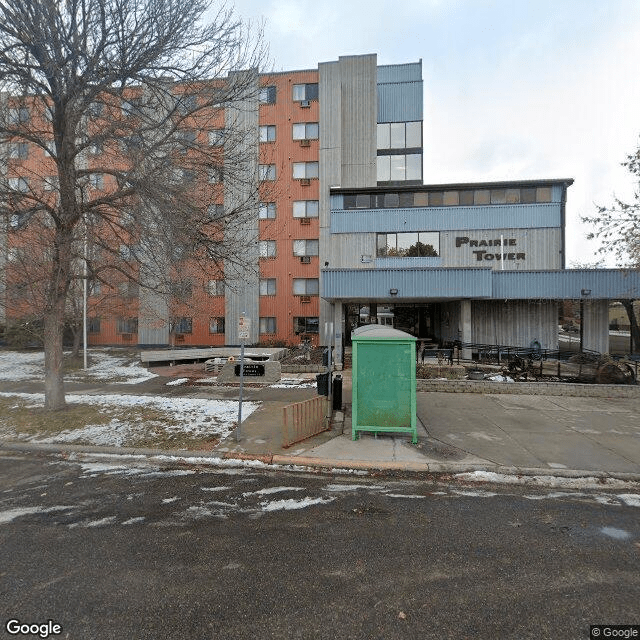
[[326, 464]]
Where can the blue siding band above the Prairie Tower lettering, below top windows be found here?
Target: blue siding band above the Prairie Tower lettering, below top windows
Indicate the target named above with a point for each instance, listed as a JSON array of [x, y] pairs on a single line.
[[512, 216]]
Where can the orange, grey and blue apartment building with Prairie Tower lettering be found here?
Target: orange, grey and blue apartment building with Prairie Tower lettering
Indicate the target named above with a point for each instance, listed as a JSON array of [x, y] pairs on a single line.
[[345, 232]]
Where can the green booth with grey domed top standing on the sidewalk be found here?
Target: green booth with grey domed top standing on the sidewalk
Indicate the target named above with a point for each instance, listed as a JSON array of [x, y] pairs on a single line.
[[384, 381]]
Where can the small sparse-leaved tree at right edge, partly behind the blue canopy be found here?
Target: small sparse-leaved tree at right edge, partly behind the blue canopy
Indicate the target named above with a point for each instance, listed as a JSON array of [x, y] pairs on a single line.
[[617, 227]]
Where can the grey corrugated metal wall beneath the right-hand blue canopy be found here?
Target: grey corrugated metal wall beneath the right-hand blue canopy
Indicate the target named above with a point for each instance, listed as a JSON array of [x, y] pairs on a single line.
[[515, 323]]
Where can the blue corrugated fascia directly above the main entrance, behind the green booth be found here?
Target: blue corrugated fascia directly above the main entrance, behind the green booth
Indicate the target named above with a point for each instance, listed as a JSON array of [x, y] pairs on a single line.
[[371, 284]]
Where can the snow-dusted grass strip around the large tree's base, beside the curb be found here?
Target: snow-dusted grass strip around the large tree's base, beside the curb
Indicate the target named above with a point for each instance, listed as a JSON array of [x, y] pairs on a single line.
[[195, 417]]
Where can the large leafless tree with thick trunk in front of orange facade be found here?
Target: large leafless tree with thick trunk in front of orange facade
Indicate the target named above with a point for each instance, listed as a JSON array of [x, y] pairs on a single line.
[[129, 129]]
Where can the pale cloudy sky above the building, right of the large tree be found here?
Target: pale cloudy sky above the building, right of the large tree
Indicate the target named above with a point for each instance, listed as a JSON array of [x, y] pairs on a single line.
[[514, 89]]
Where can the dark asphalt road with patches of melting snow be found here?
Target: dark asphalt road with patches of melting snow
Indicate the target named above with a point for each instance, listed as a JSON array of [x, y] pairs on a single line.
[[137, 552]]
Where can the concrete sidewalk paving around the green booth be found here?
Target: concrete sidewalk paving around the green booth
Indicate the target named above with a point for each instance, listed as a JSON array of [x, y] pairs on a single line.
[[557, 435]]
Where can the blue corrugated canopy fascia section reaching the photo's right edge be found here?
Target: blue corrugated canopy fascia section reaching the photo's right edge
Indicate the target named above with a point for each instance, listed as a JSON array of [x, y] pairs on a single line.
[[606, 284]]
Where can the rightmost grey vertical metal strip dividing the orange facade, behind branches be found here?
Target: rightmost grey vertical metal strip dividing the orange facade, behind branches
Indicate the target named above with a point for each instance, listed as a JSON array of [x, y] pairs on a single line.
[[241, 297]]
